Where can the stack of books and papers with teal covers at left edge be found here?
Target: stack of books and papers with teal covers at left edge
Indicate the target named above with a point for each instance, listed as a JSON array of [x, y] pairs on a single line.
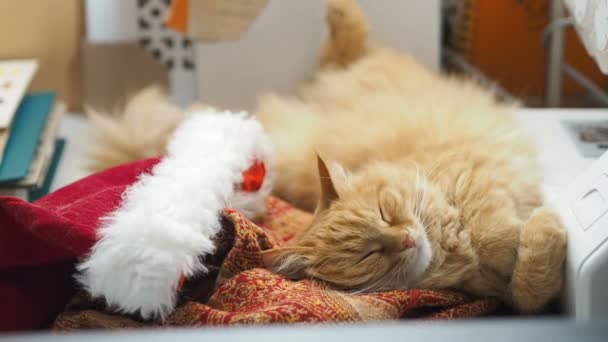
[[29, 122]]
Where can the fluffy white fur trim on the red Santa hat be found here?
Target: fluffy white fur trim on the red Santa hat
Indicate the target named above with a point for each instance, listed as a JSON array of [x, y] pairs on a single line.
[[168, 218]]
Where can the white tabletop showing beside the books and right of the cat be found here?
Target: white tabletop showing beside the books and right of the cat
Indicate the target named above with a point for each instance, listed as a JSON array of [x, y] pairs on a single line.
[[558, 155]]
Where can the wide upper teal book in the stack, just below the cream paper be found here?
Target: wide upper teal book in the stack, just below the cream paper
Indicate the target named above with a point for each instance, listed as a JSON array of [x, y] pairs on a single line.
[[28, 124]]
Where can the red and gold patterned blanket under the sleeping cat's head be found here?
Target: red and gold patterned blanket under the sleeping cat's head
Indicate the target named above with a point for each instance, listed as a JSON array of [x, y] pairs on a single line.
[[238, 291]]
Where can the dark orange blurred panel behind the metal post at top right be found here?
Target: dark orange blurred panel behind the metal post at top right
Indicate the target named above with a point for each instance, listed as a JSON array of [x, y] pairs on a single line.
[[503, 39]]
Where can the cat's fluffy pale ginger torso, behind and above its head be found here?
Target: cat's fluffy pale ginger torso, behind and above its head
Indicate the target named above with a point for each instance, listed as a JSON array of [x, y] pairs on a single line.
[[387, 107]]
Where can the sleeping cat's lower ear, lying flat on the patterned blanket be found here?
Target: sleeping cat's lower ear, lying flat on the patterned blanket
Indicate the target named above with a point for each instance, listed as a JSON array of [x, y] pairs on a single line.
[[289, 261]]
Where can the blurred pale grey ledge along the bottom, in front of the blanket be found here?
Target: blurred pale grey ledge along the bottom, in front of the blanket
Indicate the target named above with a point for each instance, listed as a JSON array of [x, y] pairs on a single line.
[[474, 330]]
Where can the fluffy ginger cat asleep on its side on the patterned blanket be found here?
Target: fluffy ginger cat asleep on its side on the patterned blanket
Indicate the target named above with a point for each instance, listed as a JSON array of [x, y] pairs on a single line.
[[437, 186]]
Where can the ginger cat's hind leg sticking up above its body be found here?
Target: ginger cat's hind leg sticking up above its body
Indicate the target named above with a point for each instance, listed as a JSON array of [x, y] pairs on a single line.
[[349, 31]]
